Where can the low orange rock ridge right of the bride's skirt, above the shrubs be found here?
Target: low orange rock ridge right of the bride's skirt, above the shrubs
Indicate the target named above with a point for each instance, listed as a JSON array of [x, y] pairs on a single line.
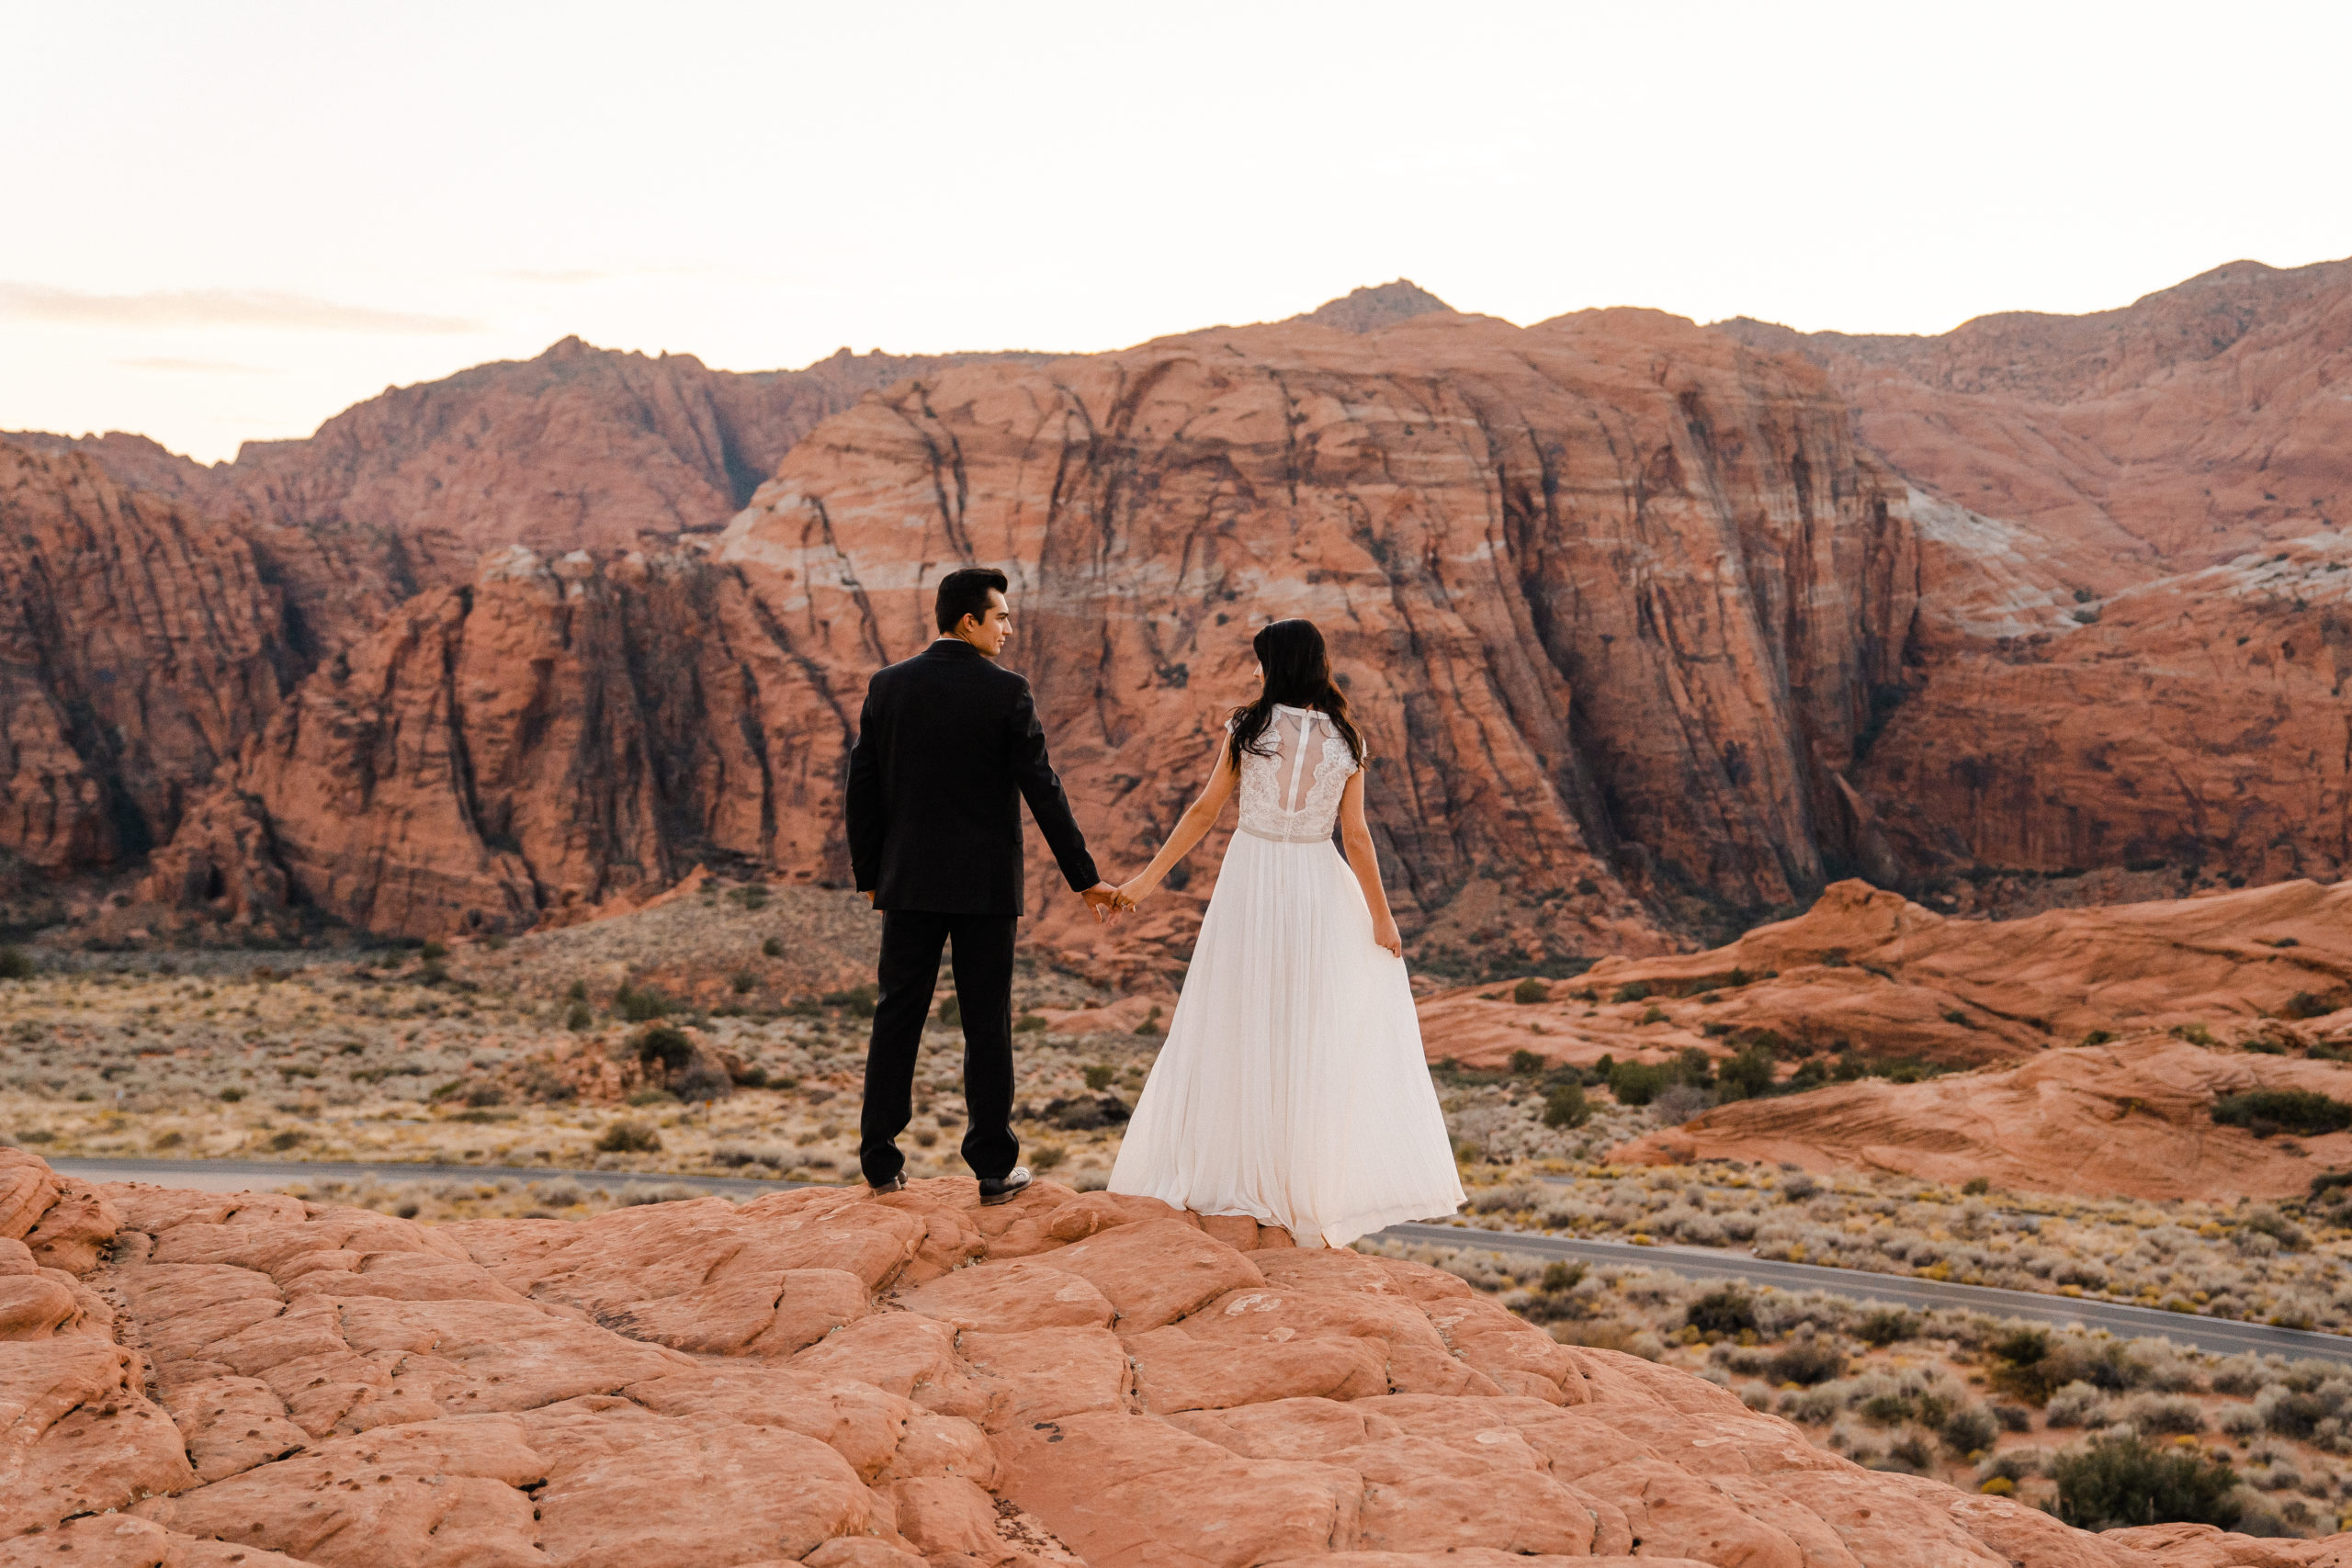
[[1895, 979]]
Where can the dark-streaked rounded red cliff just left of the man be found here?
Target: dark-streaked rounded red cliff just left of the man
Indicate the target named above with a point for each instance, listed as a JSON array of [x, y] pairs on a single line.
[[552, 742]]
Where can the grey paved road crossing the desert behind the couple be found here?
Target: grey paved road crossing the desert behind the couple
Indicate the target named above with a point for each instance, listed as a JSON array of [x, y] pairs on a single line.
[[2221, 1336]]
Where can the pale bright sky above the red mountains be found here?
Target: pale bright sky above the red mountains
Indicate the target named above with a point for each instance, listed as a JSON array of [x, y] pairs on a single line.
[[229, 222]]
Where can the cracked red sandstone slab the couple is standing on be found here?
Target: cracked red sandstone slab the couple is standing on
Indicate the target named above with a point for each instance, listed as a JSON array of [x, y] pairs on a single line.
[[855, 1383]]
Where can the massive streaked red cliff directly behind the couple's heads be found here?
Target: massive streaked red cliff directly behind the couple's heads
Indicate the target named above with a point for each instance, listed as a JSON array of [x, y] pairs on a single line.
[[1610, 594]]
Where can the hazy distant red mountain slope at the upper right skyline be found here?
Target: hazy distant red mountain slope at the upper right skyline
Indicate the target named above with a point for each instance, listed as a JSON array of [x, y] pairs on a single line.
[[2189, 427]]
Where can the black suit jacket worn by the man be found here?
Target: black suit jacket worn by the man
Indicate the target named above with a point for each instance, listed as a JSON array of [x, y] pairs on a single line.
[[949, 746]]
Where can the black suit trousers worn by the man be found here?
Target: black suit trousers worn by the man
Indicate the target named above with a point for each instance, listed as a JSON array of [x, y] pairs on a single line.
[[984, 993]]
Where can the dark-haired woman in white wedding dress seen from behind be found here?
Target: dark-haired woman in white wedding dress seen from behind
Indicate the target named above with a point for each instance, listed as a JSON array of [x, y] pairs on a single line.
[[1292, 1083]]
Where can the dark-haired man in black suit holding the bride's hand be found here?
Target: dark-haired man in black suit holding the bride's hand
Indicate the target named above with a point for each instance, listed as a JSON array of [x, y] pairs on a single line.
[[949, 746]]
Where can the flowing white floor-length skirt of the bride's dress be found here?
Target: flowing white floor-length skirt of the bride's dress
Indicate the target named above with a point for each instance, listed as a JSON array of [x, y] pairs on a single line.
[[1292, 1083]]
